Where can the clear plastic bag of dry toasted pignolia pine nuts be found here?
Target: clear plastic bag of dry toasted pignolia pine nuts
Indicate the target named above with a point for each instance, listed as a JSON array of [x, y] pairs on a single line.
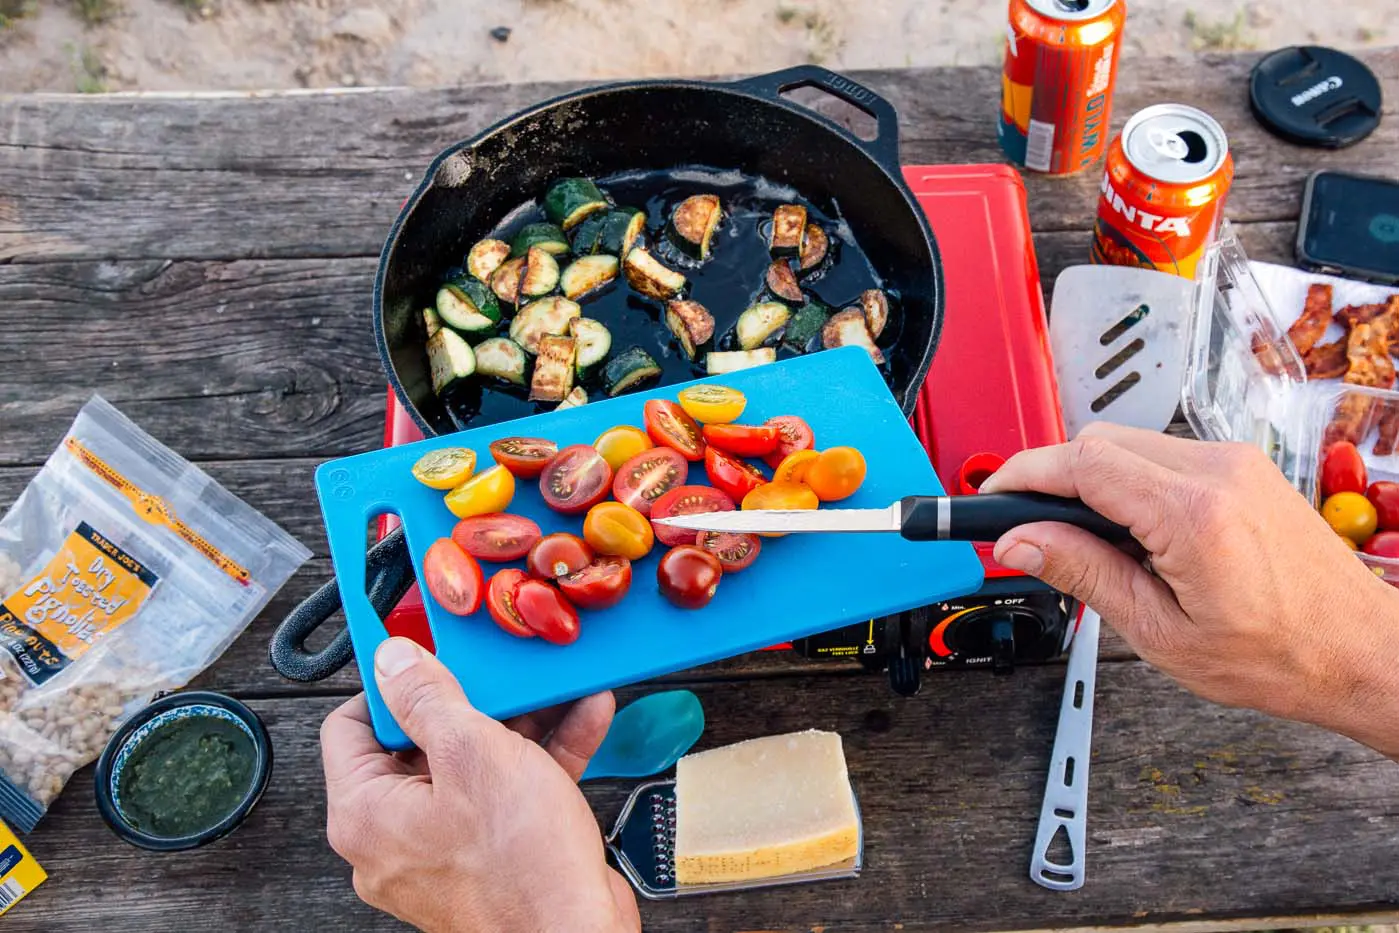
[[125, 571]]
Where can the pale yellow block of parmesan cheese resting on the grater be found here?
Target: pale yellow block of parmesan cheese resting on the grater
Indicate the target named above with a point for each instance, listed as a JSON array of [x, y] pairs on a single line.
[[765, 808]]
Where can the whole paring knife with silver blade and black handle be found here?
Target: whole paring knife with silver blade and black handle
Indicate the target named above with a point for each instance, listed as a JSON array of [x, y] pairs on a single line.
[[918, 518]]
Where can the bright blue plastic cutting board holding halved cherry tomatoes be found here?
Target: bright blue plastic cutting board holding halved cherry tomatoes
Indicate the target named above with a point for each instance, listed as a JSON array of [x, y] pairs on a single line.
[[801, 585]]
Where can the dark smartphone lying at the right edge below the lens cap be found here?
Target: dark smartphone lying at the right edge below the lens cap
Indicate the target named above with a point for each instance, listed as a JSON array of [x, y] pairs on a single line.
[[1351, 227]]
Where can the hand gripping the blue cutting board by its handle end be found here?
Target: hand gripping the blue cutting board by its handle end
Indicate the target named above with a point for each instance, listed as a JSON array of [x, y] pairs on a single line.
[[482, 829]]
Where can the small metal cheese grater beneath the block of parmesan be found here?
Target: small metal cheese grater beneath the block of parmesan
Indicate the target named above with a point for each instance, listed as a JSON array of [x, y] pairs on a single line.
[[644, 847]]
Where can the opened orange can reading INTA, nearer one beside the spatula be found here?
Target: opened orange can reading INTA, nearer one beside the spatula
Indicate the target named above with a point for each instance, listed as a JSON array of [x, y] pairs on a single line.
[[1163, 191]]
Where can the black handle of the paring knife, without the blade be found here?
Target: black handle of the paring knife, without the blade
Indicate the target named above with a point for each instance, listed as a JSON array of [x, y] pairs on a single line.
[[986, 518]]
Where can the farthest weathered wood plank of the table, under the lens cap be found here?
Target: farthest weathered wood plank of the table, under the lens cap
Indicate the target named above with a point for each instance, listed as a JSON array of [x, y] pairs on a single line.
[[306, 176]]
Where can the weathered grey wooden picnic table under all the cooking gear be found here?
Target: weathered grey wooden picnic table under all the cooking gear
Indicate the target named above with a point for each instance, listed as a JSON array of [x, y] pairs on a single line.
[[205, 262]]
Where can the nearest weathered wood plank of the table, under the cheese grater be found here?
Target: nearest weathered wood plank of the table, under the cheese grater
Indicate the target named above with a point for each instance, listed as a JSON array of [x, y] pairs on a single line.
[[951, 788]]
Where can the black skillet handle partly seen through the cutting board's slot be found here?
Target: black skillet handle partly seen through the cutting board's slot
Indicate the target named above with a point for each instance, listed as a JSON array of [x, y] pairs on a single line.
[[391, 577]]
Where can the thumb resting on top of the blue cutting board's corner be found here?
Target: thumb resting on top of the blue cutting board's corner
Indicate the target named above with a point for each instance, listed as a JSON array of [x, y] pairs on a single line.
[[420, 692]]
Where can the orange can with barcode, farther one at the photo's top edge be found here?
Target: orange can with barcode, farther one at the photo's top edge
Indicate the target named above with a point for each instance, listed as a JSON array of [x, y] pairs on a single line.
[[1057, 83]]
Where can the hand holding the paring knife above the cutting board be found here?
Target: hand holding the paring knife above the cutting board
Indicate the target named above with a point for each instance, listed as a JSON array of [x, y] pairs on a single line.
[[1251, 599]]
